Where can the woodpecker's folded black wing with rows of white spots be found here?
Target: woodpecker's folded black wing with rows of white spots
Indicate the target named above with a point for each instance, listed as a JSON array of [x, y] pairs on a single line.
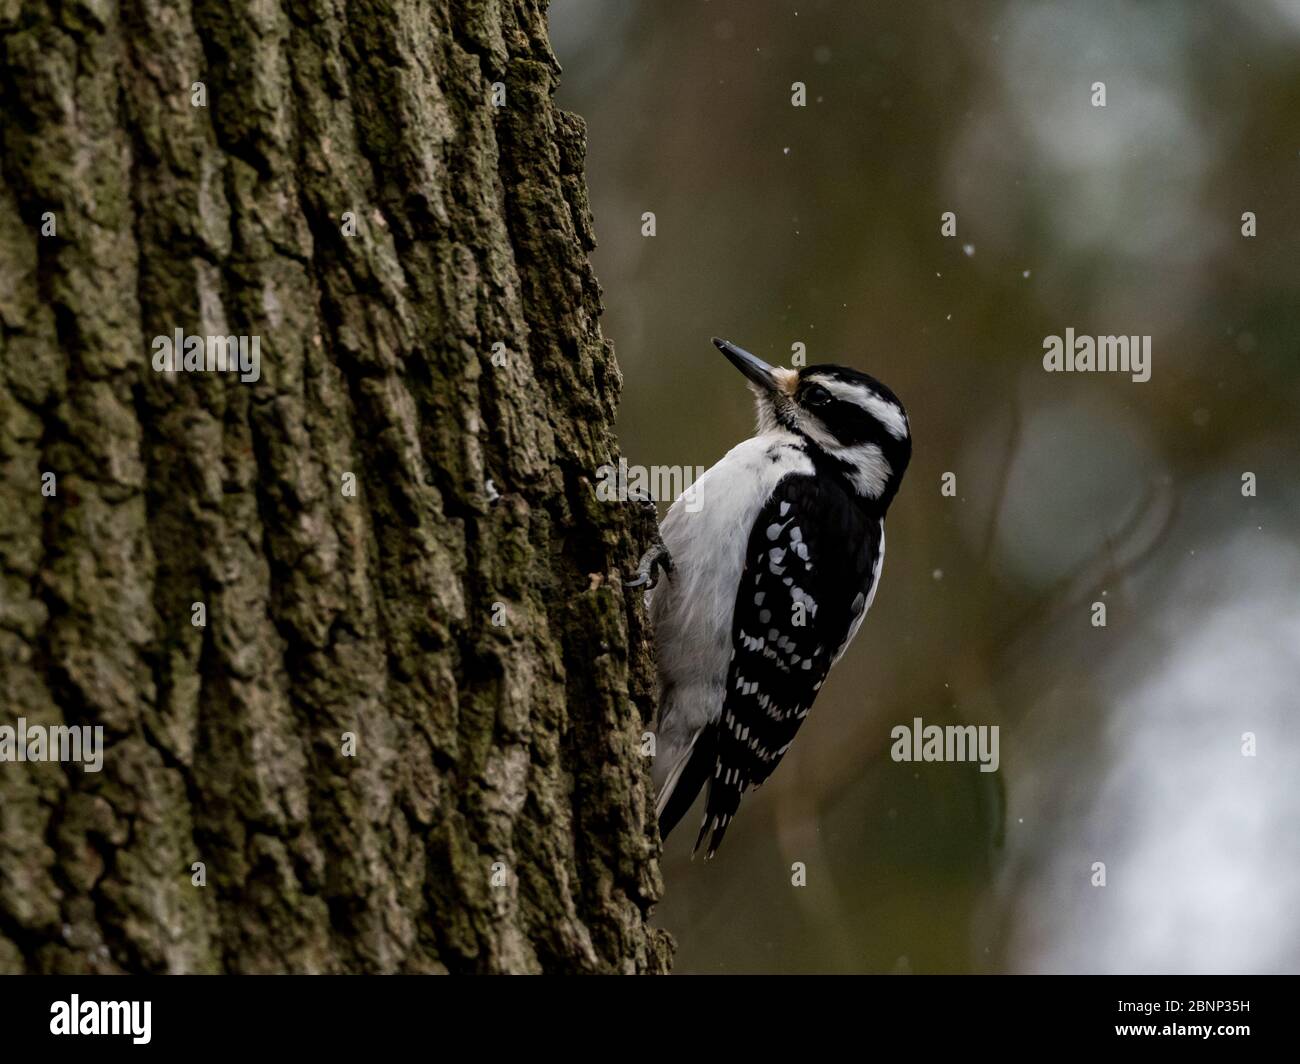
[[813, 557]]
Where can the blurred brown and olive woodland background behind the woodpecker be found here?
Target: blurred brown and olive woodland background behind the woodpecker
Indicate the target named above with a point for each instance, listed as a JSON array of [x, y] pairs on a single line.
[[821, 226]]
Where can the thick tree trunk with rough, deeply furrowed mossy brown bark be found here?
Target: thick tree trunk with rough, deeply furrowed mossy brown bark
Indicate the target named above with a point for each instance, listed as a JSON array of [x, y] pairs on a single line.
[[479, 745]]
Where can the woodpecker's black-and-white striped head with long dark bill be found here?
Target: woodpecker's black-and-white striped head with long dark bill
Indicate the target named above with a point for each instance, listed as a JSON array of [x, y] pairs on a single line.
[[847, 416]]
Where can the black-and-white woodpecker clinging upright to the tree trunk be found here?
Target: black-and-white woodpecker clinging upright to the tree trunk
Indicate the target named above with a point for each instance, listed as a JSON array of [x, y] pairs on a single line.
[[774, 563]]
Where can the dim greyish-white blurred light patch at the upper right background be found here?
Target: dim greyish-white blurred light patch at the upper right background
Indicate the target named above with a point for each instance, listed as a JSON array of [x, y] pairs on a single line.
[[1126, 180]]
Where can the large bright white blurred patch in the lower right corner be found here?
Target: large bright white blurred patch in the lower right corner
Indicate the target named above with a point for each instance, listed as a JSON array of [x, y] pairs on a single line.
[[1198, 840]]
